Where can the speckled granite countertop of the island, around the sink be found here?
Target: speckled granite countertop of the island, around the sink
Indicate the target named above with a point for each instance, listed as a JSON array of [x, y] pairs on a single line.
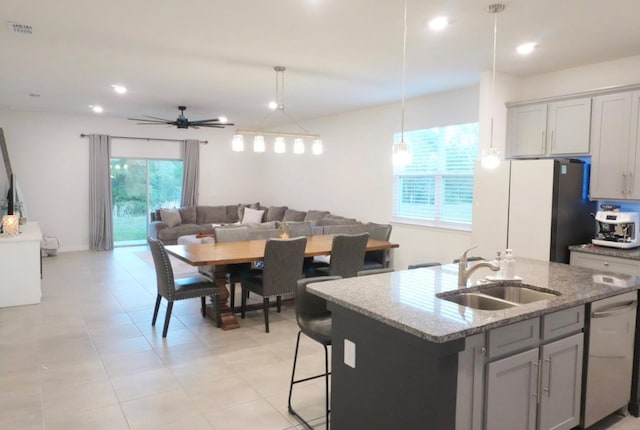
[[407, 299]]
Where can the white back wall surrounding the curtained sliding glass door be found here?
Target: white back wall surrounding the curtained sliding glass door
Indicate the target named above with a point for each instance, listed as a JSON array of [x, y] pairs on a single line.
[[51, 164]]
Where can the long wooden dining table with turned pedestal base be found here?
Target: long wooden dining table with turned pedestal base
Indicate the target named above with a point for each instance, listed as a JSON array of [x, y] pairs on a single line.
[[221, 255]]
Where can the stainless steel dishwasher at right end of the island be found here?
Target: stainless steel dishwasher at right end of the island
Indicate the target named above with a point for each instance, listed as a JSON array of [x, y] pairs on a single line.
[[609, 364]]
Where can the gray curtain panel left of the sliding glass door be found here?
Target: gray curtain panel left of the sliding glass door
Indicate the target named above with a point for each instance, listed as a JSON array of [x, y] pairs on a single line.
[[100, 204]]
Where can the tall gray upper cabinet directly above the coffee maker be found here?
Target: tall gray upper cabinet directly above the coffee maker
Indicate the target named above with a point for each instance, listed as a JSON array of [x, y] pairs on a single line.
[[615, 140]]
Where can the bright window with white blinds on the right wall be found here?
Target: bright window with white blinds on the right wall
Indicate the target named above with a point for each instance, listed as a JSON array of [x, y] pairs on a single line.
[[437, 187]]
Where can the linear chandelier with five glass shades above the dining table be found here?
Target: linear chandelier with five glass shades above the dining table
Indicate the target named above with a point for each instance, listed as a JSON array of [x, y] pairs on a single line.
[[279, 145]]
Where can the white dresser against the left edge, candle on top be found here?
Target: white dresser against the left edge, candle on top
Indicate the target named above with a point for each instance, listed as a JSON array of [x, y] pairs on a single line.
[[20, 267]]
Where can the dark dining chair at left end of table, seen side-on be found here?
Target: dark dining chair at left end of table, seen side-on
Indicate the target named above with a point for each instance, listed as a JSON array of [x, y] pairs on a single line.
[[176, 289]]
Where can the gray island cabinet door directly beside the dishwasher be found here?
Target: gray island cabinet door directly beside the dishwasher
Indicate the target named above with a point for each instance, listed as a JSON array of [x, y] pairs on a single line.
[[561, 382]]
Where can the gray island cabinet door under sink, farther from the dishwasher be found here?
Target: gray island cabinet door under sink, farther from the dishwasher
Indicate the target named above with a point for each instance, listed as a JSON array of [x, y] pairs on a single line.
[[512, 390]]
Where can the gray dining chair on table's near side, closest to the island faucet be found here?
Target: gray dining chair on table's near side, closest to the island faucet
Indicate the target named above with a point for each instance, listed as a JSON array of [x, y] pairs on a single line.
[[347, 256]]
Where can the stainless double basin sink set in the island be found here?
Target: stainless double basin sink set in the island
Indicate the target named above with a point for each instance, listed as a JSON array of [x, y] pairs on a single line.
[[499, 296]]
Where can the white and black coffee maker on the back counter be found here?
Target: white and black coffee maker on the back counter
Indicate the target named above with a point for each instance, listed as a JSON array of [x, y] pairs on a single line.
[[617, 229]]
